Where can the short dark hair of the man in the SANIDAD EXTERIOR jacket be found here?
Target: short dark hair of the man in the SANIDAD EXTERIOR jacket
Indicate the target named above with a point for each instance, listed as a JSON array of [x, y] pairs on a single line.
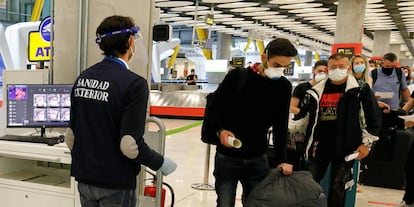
[[115, 45]]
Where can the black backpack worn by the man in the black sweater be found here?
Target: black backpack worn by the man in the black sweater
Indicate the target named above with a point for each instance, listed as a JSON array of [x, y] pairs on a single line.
[[208, 134]]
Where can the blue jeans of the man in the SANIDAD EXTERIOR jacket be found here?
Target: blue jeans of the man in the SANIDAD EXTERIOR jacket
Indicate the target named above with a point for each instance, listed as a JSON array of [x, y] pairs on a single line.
[[92, 196]]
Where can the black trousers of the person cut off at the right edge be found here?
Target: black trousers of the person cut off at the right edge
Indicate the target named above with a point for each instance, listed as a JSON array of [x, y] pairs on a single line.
[[409, 175]]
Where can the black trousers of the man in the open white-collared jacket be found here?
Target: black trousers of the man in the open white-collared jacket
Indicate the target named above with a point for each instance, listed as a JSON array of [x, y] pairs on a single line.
[[340, 174]]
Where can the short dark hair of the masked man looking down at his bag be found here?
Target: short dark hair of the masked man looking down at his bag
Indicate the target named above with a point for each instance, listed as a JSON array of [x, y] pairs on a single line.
[[280, 47]]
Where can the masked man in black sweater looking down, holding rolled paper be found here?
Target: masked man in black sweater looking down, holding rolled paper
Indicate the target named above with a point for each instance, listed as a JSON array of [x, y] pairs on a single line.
[[263, 102]]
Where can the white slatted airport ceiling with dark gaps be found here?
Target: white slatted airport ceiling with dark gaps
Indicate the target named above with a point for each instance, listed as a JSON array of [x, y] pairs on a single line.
[[311, 22]]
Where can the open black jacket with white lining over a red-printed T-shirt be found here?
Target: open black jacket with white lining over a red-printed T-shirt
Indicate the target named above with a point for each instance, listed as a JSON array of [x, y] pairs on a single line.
[[353, 122]]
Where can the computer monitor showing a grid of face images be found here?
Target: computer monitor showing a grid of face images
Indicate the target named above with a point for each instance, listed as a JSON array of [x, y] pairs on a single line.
[[38, 105]]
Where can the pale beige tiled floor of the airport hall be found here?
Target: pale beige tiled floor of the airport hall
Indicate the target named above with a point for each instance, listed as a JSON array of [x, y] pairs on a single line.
[[189, 152]]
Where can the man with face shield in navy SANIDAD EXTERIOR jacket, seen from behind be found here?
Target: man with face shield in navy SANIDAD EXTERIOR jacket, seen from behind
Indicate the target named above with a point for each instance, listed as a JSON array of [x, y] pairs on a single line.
[[108, 113]]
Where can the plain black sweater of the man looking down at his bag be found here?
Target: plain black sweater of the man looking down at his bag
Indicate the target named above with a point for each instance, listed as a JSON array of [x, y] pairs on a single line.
[[261, 104]]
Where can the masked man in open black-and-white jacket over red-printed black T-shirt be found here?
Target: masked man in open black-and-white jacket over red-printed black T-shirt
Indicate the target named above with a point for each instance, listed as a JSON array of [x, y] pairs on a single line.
[[336, 125]]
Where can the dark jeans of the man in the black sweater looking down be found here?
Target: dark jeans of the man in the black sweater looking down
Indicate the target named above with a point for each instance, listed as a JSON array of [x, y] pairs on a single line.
[[229, 170]]
